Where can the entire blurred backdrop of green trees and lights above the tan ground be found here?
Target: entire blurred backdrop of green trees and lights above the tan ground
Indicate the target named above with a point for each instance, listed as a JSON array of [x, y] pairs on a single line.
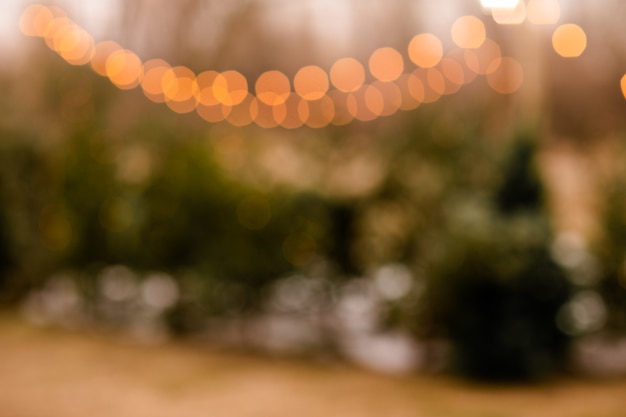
[[408, 185]]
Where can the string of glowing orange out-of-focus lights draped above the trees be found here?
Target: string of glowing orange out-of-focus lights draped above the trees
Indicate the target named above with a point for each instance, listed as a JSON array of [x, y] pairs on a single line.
[[308, 99]]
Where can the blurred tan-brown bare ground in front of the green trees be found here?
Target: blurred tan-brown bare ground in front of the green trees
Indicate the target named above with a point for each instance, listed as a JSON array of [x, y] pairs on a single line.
[[50, 373]]
